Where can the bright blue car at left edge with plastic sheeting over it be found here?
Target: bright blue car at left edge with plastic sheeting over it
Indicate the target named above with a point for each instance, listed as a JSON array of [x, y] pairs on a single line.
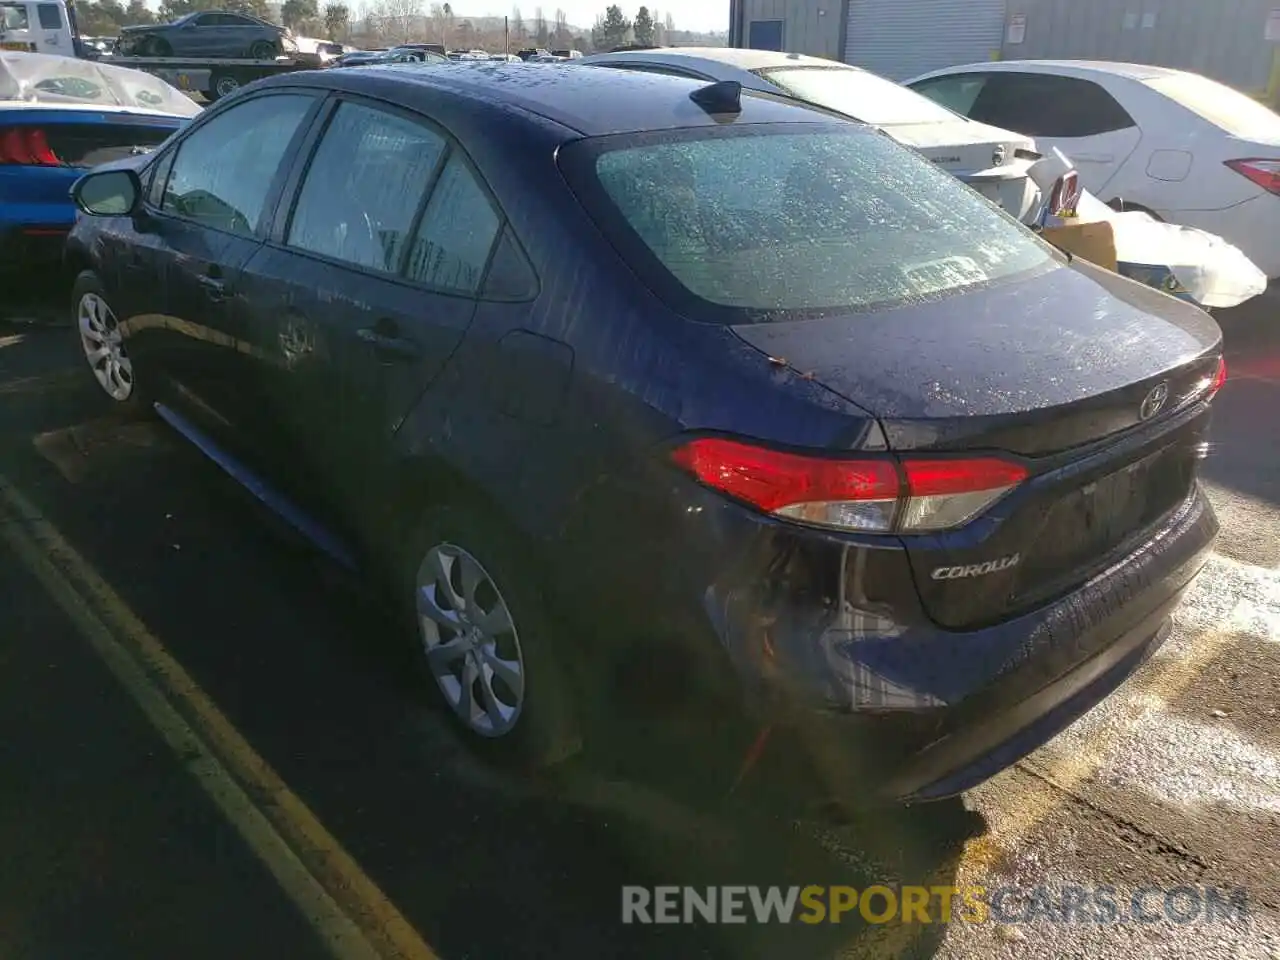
[[60, 117]]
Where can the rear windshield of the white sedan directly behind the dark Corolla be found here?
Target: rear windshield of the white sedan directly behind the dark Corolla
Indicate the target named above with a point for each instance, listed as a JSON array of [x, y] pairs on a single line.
[[858, 94]]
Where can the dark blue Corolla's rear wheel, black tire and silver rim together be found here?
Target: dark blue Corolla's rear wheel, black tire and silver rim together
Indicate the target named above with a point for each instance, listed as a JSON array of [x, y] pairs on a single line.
[[523, 717]]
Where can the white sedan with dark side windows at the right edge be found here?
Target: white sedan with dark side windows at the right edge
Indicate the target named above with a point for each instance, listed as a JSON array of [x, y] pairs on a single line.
[[1177, 145]]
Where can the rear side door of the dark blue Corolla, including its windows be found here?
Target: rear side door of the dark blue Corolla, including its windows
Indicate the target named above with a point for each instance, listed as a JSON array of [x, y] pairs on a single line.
[[367, 290]]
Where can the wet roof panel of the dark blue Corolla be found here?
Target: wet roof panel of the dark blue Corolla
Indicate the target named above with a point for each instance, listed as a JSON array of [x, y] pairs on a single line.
[[588, 102]]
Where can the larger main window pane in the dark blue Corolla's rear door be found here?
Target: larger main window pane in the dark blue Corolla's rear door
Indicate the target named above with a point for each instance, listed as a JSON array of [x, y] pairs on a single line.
[[364, 186]]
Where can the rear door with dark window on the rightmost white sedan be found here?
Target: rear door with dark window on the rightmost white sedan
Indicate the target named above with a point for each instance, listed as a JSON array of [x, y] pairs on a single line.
[[1076, 116]]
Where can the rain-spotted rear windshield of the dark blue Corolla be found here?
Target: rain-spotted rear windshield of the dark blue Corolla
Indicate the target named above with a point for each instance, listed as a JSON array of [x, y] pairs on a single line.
[[829, 218]]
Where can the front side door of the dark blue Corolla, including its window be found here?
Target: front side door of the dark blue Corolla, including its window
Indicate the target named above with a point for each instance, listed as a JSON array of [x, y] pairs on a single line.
[[209, 216]]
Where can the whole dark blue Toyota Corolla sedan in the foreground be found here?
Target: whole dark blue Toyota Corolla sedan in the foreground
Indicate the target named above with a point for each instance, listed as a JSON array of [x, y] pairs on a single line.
[[588, 368]]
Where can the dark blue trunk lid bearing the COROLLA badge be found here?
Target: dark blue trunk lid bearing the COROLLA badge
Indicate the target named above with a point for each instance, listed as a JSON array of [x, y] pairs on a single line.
[[1085, 378]]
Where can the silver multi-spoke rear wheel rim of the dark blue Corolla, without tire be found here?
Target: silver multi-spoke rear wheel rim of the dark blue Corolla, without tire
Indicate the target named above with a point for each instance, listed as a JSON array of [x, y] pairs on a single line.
[[470, 641]]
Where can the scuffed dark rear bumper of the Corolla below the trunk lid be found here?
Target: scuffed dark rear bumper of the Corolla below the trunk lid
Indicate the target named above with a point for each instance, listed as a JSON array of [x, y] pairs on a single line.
[[906, 743]]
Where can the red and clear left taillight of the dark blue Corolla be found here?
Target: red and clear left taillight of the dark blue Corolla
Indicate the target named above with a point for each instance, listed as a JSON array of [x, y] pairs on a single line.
[[851, 495]]
